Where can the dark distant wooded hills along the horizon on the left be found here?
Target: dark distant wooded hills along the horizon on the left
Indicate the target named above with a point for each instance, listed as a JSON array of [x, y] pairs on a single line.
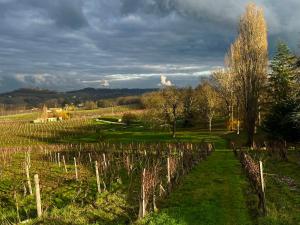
[[36, 97]]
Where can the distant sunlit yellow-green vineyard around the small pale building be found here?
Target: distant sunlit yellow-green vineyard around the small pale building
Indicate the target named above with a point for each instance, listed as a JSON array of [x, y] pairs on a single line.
[[17, 130]]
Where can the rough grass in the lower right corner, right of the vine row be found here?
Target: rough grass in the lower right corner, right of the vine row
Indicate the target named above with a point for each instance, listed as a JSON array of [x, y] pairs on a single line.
[[282, 189]]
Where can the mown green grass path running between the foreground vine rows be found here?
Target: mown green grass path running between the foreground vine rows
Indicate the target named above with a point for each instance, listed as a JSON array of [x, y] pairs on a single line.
[[213, 193]]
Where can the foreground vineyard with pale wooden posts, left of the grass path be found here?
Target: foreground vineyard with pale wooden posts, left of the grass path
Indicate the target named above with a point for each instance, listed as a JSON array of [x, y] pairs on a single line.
[[139, 172]]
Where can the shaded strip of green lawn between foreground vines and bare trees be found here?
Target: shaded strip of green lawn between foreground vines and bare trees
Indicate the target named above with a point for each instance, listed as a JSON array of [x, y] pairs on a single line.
[[98, 132]]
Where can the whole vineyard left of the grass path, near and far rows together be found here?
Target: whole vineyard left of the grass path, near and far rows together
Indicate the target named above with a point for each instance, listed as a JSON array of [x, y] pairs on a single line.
[[86, 175]]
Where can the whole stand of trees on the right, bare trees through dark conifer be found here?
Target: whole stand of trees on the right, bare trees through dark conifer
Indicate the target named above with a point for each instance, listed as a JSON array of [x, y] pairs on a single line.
[[251, 91]]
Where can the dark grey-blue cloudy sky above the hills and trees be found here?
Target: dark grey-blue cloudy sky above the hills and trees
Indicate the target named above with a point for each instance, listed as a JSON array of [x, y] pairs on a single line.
[[72, 44]]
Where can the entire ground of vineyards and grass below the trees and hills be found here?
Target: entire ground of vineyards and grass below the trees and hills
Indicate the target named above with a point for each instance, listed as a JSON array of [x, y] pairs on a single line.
[[175, 181]]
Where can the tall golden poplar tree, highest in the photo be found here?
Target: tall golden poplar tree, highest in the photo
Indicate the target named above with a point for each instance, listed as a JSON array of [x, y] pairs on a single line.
[[248, 59]]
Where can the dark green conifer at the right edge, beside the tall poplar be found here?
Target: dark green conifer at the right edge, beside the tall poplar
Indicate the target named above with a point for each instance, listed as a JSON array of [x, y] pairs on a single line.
[[283, 120]]
